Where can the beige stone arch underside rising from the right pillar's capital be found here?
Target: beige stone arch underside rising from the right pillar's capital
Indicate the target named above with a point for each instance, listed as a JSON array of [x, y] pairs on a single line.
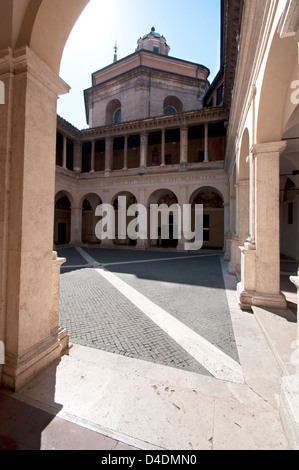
[[275, 88]]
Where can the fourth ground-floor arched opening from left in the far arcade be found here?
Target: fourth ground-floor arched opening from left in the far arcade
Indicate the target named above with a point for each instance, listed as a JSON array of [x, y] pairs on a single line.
[[166, 225]]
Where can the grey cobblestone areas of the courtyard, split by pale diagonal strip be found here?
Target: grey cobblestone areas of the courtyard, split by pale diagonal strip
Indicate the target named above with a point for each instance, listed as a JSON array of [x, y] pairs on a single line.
[[189, 287]]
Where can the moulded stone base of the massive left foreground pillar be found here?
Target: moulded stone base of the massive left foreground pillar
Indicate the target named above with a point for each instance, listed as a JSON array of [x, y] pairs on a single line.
[[18, 371]]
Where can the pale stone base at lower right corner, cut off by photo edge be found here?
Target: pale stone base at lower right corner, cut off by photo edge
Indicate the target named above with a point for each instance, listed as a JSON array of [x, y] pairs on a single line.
[[289, 409]]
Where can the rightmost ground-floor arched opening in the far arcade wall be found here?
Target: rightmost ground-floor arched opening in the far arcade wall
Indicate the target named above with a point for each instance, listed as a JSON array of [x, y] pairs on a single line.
[[213, 216]]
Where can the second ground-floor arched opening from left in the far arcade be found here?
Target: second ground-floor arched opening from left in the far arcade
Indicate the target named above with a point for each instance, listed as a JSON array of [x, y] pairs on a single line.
[[89, 220]]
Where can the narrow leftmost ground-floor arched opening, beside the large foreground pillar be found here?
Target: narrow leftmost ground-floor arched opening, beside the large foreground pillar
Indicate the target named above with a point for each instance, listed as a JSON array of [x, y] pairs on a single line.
[[62, 219]]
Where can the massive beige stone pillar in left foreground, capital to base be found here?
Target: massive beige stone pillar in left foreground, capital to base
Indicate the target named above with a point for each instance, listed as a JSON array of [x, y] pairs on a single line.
[[29, 267]]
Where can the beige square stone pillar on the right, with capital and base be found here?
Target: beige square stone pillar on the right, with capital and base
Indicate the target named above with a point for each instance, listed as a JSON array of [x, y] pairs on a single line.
[[260, 269]]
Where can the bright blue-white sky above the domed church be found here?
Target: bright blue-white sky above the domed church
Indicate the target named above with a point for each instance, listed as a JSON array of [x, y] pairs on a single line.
[[191, 28]]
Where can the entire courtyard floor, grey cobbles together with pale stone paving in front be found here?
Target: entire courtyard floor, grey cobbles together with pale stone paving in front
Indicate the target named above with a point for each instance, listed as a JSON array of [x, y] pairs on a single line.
[[162, 358]]
